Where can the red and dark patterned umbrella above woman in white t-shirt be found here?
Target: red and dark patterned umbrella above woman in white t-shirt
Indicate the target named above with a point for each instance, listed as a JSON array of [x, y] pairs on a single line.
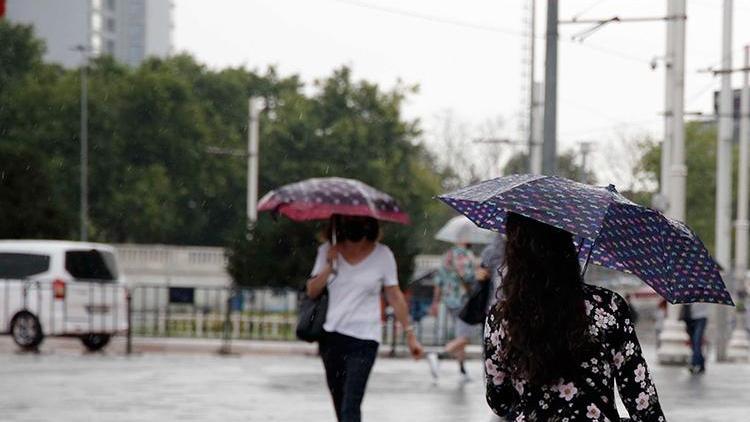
[[320, 198]]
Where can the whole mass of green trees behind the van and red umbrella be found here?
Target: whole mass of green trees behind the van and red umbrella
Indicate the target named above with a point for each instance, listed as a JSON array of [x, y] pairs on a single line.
[[152, 179]]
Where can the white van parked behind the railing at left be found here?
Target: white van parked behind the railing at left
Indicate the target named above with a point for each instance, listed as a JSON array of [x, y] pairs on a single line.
[[60, 288]]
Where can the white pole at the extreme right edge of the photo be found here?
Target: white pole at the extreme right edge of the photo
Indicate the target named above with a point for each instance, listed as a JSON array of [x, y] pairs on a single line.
[[739, 344]]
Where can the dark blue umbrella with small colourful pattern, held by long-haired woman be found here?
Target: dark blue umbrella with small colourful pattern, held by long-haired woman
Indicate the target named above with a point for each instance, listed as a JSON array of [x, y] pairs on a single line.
[[611, 230]]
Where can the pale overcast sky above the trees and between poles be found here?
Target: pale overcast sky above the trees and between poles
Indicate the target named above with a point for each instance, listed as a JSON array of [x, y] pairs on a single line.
[[466, 56]]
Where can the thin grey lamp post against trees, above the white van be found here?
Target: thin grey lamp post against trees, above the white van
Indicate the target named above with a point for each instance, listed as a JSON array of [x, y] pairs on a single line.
[[84, 154]]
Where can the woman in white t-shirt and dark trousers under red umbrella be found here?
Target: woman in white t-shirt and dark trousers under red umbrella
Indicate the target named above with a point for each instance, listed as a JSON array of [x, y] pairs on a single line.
[[355, 269]]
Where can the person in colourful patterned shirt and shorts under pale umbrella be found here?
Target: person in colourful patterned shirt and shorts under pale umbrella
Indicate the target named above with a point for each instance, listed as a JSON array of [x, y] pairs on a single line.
[[453, 282]]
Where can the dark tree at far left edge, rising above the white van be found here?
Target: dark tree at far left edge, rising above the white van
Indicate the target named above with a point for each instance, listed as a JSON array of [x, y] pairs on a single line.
[[31, 202]]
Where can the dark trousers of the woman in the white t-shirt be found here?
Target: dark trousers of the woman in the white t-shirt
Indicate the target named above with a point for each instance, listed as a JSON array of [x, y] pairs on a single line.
[[347, 361]]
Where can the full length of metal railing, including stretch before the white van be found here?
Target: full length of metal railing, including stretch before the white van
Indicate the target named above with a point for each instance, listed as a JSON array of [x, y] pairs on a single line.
[[157, 310]]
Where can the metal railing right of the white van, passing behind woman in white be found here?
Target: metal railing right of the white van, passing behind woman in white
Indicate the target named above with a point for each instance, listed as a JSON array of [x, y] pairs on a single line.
[[245, 314]]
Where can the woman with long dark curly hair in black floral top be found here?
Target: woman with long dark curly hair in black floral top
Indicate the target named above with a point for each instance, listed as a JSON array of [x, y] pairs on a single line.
[[554, 346]]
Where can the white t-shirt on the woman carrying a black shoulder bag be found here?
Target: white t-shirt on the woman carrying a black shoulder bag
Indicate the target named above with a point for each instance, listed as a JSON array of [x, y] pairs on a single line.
[[354, 294]]
